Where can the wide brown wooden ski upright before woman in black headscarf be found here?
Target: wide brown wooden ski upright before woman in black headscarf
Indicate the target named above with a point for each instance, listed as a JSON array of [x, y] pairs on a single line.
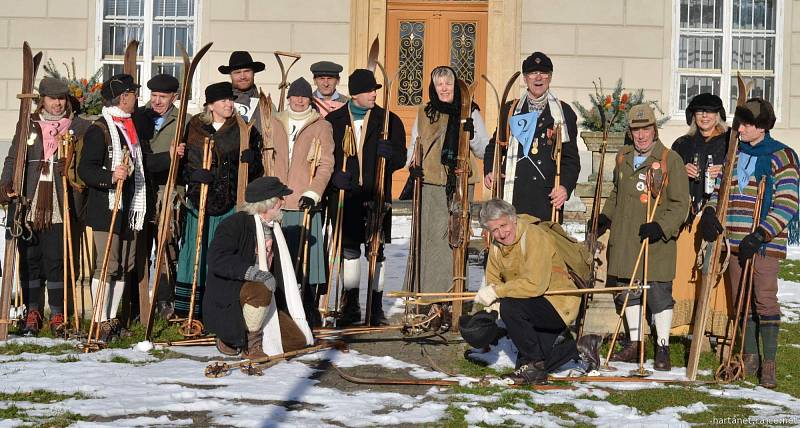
[[459, 228]]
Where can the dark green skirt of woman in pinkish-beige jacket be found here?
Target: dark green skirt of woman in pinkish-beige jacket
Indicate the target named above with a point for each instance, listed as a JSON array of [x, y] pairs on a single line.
[[291, 226]]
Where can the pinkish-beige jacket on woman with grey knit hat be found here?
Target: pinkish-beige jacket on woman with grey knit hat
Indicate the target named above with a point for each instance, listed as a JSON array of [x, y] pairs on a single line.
[[297, 174]]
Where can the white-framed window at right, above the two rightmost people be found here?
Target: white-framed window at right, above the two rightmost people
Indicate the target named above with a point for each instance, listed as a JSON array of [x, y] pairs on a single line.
[[715, 39]]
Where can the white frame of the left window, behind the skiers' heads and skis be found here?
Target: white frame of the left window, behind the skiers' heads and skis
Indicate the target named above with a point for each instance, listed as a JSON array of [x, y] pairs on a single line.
[[145, 61]]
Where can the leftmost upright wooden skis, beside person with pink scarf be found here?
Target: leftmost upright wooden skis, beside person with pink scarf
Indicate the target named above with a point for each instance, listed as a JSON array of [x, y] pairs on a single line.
[[30, 64]]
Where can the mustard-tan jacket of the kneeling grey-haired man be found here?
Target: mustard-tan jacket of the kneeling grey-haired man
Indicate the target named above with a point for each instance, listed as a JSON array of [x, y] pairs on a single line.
[[529, 267]]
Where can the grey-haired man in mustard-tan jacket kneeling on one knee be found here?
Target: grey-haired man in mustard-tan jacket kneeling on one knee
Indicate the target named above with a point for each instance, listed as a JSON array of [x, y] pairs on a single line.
[[523, 264]]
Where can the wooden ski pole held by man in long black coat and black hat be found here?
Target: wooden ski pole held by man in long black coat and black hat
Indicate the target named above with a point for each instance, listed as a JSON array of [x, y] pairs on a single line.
[[335, 250]]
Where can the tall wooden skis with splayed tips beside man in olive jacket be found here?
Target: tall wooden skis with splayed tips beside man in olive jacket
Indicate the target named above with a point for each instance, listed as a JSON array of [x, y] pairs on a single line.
[[189, 68]]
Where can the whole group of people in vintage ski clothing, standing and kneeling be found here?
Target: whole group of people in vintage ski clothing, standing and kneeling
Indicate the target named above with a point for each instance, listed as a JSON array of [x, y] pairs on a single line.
[[256, 301]]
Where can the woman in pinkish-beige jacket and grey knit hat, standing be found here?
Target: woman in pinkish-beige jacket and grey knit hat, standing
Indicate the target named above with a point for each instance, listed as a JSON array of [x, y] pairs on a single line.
[[303, 143]]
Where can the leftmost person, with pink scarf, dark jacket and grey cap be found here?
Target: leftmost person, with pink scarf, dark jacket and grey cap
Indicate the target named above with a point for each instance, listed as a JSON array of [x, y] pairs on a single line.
[[41, 256]]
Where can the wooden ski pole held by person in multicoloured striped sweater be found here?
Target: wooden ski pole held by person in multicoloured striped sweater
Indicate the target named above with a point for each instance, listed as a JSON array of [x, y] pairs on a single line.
[[732, 369]]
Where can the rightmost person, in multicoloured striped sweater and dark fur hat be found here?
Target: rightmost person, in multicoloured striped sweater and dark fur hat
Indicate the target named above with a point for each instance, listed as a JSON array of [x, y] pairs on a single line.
[[759, 156]]
